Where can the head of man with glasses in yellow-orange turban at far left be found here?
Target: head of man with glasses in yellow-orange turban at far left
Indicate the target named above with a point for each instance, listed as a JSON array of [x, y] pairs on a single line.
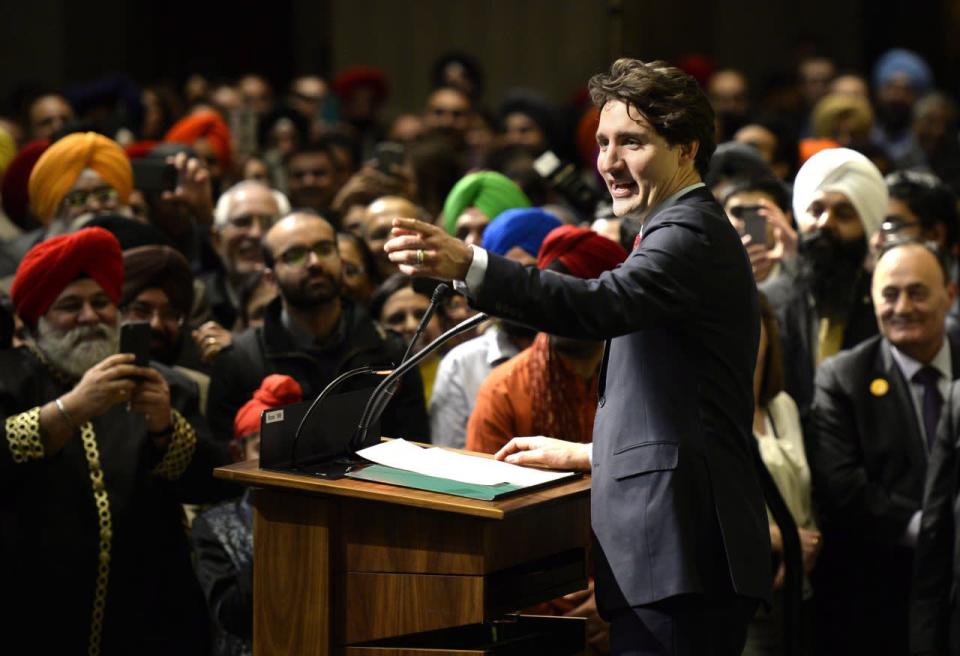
[[81, 173]]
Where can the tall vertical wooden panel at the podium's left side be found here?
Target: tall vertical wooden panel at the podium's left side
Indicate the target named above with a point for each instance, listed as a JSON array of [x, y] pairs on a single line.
[[291, 574]]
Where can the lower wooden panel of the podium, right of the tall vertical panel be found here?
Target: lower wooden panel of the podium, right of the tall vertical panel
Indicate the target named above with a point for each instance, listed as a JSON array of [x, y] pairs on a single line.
[[380, 605]]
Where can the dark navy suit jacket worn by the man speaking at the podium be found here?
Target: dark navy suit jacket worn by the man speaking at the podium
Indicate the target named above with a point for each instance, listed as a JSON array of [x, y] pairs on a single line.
[[676, 506]]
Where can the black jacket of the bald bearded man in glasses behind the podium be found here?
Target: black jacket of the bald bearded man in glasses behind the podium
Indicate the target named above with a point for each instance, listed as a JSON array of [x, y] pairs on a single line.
[[270, 349]]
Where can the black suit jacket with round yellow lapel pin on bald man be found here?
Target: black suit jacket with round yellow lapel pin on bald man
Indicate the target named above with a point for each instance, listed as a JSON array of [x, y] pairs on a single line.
[[868, 463]]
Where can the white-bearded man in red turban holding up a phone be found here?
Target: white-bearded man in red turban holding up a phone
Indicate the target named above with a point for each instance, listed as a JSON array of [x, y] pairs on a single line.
[[96, 456]]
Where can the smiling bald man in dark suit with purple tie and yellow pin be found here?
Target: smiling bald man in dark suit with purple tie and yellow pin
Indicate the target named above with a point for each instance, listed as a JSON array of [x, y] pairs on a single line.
[[873, 421]]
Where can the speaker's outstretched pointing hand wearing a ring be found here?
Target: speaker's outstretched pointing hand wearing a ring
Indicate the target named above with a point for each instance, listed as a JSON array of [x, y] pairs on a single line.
[[422, 249]]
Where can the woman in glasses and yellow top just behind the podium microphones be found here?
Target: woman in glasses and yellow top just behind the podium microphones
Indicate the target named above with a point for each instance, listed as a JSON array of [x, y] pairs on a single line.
[[399, 304]]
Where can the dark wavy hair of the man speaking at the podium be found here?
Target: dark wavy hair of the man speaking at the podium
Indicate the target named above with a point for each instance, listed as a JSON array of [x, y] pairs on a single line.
[[670, 100]]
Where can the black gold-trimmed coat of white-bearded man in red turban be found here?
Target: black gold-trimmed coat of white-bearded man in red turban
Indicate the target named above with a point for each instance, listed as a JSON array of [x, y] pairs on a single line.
[[51, 538]]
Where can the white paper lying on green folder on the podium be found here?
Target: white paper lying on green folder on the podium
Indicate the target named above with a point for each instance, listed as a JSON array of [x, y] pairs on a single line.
[[434, 461]]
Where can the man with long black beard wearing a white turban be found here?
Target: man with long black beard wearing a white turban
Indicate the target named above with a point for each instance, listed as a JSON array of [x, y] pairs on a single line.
[[823, 301]]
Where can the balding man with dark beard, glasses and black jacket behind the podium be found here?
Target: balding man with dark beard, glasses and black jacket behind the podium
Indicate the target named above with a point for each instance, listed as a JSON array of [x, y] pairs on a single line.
[[311, 333]]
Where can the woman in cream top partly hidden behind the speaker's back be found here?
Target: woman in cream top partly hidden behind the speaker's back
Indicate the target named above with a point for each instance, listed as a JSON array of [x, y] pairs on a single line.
[[776, 427]]
